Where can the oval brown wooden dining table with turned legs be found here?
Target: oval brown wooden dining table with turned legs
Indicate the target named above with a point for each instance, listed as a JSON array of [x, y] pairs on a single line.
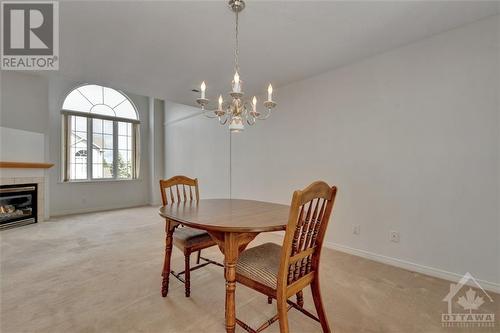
[[233, 224]]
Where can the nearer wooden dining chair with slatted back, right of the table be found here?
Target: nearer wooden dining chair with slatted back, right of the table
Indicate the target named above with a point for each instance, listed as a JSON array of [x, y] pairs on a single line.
[[283, 271]]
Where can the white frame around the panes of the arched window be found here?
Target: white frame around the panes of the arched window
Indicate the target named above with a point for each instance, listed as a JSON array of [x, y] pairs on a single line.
[[66, 145]]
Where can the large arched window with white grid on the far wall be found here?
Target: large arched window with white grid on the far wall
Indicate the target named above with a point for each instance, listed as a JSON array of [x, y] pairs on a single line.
[[101, 132]]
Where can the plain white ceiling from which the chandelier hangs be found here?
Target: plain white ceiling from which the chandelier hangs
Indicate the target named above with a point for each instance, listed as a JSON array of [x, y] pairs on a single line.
[[166, 48]]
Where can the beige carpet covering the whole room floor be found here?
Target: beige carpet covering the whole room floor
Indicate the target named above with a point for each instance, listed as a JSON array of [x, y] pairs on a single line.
[[100, 272]]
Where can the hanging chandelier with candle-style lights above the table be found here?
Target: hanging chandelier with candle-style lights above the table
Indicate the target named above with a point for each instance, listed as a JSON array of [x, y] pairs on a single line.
[[239, 110]]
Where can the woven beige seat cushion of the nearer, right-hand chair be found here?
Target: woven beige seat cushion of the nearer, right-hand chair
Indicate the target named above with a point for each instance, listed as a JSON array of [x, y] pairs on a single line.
[[261, 264]]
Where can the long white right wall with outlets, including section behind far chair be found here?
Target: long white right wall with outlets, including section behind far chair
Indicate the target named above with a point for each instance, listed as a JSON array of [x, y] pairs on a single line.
[[409, 136]]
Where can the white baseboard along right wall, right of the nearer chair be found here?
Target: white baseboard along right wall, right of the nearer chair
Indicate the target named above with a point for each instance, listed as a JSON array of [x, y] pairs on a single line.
[[431, 271]]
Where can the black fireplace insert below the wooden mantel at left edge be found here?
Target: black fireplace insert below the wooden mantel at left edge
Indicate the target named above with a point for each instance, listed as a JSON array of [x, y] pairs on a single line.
[[18, 205]]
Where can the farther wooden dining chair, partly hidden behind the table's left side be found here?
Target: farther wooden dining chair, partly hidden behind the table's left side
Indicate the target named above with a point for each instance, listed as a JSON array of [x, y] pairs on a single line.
[[177, 190]]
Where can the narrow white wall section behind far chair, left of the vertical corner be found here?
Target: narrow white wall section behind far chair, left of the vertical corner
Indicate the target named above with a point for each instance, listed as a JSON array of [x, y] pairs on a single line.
[[197, 147]]
